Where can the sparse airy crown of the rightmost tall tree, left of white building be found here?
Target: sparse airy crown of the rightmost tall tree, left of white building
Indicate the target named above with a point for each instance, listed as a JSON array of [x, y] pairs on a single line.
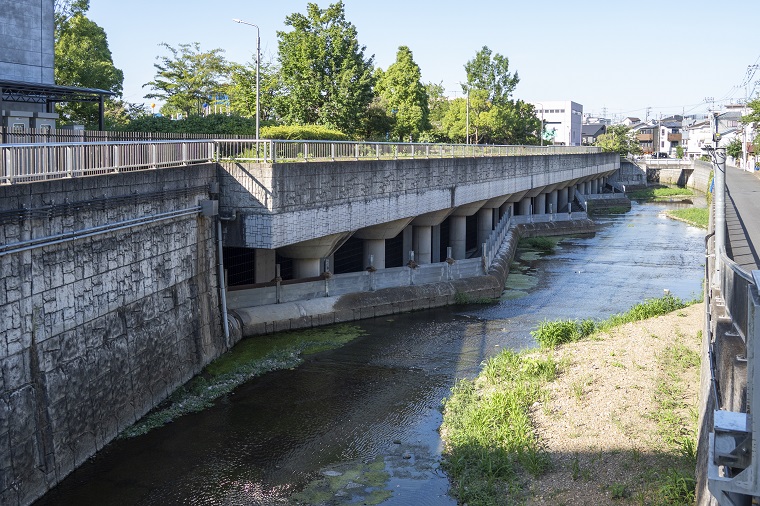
[[491, 74]]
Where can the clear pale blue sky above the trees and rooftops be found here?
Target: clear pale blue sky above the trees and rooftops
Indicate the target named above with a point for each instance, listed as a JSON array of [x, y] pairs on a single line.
[[621, 58]]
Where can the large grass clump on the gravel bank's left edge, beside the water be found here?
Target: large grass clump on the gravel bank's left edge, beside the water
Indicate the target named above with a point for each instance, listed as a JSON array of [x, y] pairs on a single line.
[[490, 440]]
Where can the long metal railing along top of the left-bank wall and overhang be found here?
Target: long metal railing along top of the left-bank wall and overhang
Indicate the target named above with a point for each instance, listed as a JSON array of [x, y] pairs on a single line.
[[20, 163]]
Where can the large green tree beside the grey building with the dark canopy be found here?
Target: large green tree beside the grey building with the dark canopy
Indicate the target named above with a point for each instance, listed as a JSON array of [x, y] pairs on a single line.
[[83, 59]]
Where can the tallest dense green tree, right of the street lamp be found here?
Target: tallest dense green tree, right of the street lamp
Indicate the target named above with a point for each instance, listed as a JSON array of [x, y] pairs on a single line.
[[325, 76]]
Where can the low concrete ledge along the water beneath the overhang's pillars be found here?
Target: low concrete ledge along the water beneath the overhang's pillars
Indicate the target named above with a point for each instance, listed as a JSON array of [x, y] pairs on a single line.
[[356, 306]]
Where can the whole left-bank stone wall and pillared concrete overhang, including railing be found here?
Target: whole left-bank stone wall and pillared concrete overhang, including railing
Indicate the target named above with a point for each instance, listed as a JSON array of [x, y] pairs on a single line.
[[112, 260]]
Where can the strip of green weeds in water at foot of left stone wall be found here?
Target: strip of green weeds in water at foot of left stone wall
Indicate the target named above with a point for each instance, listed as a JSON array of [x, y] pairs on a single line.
[[249, 358]]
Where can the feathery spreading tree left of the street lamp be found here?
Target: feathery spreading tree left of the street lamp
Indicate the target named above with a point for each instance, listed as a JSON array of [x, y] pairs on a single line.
[[188, 77]]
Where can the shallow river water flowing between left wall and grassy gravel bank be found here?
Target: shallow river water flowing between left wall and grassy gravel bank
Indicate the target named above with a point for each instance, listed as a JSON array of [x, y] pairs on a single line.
[[358, 424]]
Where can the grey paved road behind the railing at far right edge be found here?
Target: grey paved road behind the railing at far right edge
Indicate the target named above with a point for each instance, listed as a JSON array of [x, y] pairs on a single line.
[[743, 217]]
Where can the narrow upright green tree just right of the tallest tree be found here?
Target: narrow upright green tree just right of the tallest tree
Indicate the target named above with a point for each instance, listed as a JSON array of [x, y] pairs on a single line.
[[404, 96]]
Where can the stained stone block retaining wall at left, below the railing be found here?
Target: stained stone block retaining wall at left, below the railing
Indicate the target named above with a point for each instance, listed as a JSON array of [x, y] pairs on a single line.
[[95, 331]]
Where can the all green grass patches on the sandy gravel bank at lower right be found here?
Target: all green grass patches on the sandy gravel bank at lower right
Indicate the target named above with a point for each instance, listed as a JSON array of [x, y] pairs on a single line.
[[491, 447]]
